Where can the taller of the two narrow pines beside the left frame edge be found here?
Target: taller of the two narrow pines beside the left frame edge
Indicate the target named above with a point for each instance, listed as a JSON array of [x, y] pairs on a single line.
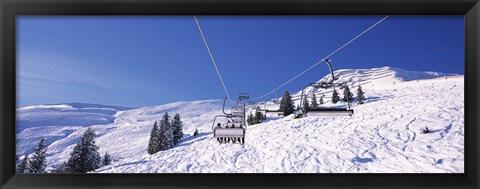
[[38, 162]]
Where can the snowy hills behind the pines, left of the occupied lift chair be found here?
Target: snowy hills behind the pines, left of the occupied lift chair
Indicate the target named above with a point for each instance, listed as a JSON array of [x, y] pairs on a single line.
[[124, 134]]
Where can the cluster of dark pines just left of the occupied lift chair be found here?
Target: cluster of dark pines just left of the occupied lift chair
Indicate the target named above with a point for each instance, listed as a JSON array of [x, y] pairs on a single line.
[[165, 134]]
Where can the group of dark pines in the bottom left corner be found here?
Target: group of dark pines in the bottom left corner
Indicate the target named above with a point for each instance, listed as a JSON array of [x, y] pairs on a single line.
[[84, 157]]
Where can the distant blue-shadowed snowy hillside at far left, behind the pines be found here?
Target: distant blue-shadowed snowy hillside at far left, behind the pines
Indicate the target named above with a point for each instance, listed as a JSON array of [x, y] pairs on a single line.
[[57, 121]]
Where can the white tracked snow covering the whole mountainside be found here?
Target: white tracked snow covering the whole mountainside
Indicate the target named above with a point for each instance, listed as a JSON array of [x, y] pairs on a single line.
[[383, 135]]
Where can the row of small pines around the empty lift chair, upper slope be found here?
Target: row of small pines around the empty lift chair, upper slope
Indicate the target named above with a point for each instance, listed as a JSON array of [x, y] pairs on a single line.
[[287, 106]]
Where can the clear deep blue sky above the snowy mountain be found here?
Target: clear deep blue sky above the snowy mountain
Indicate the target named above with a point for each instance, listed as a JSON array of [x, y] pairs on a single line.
[[152, 60]]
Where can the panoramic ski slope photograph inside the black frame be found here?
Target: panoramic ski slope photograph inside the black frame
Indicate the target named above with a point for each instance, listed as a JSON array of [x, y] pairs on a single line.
[[240, 94]]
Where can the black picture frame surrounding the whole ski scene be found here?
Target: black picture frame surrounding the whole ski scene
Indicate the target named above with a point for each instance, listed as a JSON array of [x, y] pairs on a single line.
[[11, 8]]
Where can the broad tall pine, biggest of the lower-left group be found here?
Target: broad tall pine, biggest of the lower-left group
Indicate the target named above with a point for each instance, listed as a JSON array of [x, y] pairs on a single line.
[[85, 156]]
